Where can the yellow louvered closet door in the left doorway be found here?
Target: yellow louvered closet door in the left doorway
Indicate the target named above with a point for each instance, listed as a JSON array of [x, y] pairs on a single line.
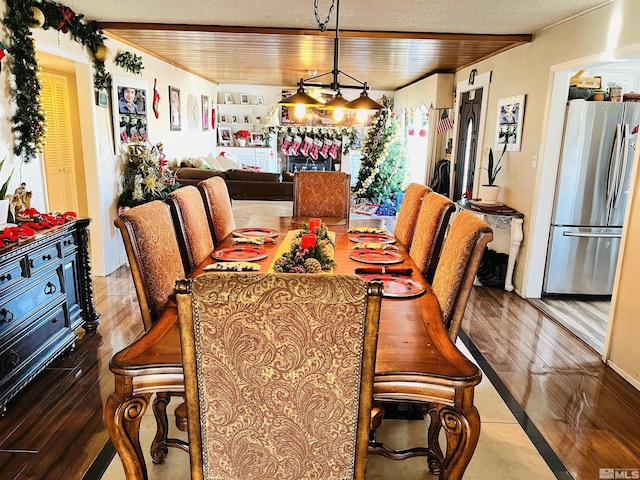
[[58, 150]]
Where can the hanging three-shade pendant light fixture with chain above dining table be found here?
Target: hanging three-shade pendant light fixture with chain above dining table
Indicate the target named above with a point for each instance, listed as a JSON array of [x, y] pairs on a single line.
[[337, 102]]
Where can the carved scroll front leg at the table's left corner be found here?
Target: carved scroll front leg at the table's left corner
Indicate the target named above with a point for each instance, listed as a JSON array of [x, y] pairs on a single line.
[[123, 417]]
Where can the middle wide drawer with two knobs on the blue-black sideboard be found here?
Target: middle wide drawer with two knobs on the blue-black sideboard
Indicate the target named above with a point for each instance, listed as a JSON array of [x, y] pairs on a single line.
[[17, 307]]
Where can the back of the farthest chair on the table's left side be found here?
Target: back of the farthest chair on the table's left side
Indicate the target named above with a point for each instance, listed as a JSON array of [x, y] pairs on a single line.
[[218, 206]]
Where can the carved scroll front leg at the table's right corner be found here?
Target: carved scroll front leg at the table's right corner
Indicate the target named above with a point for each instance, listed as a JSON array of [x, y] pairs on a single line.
[[462, 431]]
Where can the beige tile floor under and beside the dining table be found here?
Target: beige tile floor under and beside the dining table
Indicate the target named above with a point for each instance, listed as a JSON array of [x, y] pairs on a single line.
[[504, 450]]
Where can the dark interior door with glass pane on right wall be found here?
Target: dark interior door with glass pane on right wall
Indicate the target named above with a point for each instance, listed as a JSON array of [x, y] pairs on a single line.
[[468, 127]]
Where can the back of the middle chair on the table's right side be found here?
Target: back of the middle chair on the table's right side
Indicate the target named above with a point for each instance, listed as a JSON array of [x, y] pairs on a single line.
[[428, 236]]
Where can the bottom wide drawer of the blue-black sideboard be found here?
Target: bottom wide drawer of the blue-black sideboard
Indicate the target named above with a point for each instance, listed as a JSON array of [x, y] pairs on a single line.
[[32, 346]]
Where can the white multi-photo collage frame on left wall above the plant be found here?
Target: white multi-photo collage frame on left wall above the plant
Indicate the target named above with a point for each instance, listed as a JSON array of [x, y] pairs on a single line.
[[130, 109]]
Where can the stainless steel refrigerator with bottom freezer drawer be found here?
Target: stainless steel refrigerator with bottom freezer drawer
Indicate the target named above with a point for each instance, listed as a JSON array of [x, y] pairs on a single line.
[[591, 196]]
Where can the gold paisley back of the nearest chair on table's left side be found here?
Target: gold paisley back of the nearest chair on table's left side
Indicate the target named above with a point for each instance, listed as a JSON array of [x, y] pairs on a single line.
[[154, 256]]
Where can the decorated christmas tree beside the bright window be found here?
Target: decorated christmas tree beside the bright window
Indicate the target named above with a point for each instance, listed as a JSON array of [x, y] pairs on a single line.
[[382, 171]]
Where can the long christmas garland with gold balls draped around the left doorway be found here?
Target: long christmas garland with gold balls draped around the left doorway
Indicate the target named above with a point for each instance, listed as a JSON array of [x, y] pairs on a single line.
[[28, 121]]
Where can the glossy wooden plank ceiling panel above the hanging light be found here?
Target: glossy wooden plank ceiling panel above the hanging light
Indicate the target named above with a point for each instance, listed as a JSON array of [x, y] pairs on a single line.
[[281, 56]]
